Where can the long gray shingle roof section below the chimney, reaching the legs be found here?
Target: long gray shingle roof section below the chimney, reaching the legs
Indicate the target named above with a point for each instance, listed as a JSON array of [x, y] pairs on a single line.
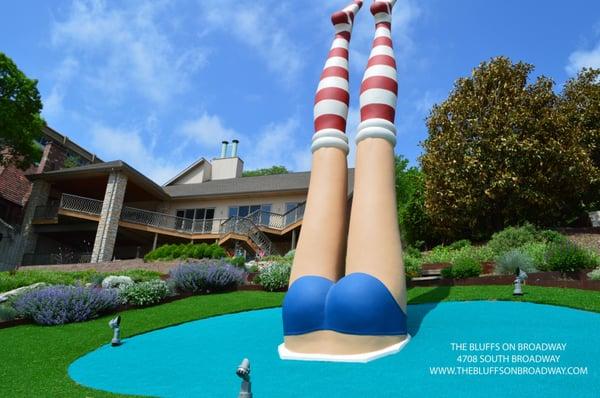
[[245, 185]]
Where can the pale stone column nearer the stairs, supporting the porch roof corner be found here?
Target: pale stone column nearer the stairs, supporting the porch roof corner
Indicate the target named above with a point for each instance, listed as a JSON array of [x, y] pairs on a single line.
[[106, 235]]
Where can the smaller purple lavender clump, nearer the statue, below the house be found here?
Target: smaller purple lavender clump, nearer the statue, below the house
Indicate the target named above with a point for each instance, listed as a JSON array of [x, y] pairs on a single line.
[[205, 276]]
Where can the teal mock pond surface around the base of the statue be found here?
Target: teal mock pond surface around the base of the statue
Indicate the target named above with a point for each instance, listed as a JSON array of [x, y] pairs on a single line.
[[198, 359]]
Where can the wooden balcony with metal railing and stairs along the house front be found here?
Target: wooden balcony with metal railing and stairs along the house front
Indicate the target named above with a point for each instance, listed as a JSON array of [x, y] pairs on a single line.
[[248, 230]]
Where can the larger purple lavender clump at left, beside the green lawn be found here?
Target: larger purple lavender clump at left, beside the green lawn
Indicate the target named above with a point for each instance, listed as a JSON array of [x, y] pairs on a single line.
[[57, 305]]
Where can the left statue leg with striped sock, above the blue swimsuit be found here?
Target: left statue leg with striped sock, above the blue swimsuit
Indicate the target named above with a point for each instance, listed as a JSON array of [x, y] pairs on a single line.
[[322, 244]]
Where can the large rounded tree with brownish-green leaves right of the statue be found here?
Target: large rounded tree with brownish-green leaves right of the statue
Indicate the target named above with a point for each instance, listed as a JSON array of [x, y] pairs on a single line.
[[499, 152]]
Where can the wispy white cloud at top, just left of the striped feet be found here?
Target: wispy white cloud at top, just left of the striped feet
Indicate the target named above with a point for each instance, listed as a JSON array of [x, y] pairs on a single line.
[[260, 26]]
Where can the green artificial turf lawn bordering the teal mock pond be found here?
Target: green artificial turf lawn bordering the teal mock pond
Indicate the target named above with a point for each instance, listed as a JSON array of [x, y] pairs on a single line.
[[35, 358]]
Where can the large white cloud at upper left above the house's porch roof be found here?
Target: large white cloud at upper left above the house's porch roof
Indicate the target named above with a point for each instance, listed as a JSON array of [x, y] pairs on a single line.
[[125, 49]]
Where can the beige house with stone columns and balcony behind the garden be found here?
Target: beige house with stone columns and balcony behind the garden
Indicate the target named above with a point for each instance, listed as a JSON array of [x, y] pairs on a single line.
[[102, 211]]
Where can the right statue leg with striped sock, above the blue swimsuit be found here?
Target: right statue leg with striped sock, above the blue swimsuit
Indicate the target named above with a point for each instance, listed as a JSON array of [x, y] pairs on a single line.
[[374, 239]]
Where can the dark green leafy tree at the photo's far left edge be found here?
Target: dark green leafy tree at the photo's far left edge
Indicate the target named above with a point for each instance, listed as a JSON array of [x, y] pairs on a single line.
[[20, 120]]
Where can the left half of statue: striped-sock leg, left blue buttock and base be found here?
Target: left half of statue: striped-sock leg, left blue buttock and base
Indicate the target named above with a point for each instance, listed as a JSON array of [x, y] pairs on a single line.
[[321, 249]]
